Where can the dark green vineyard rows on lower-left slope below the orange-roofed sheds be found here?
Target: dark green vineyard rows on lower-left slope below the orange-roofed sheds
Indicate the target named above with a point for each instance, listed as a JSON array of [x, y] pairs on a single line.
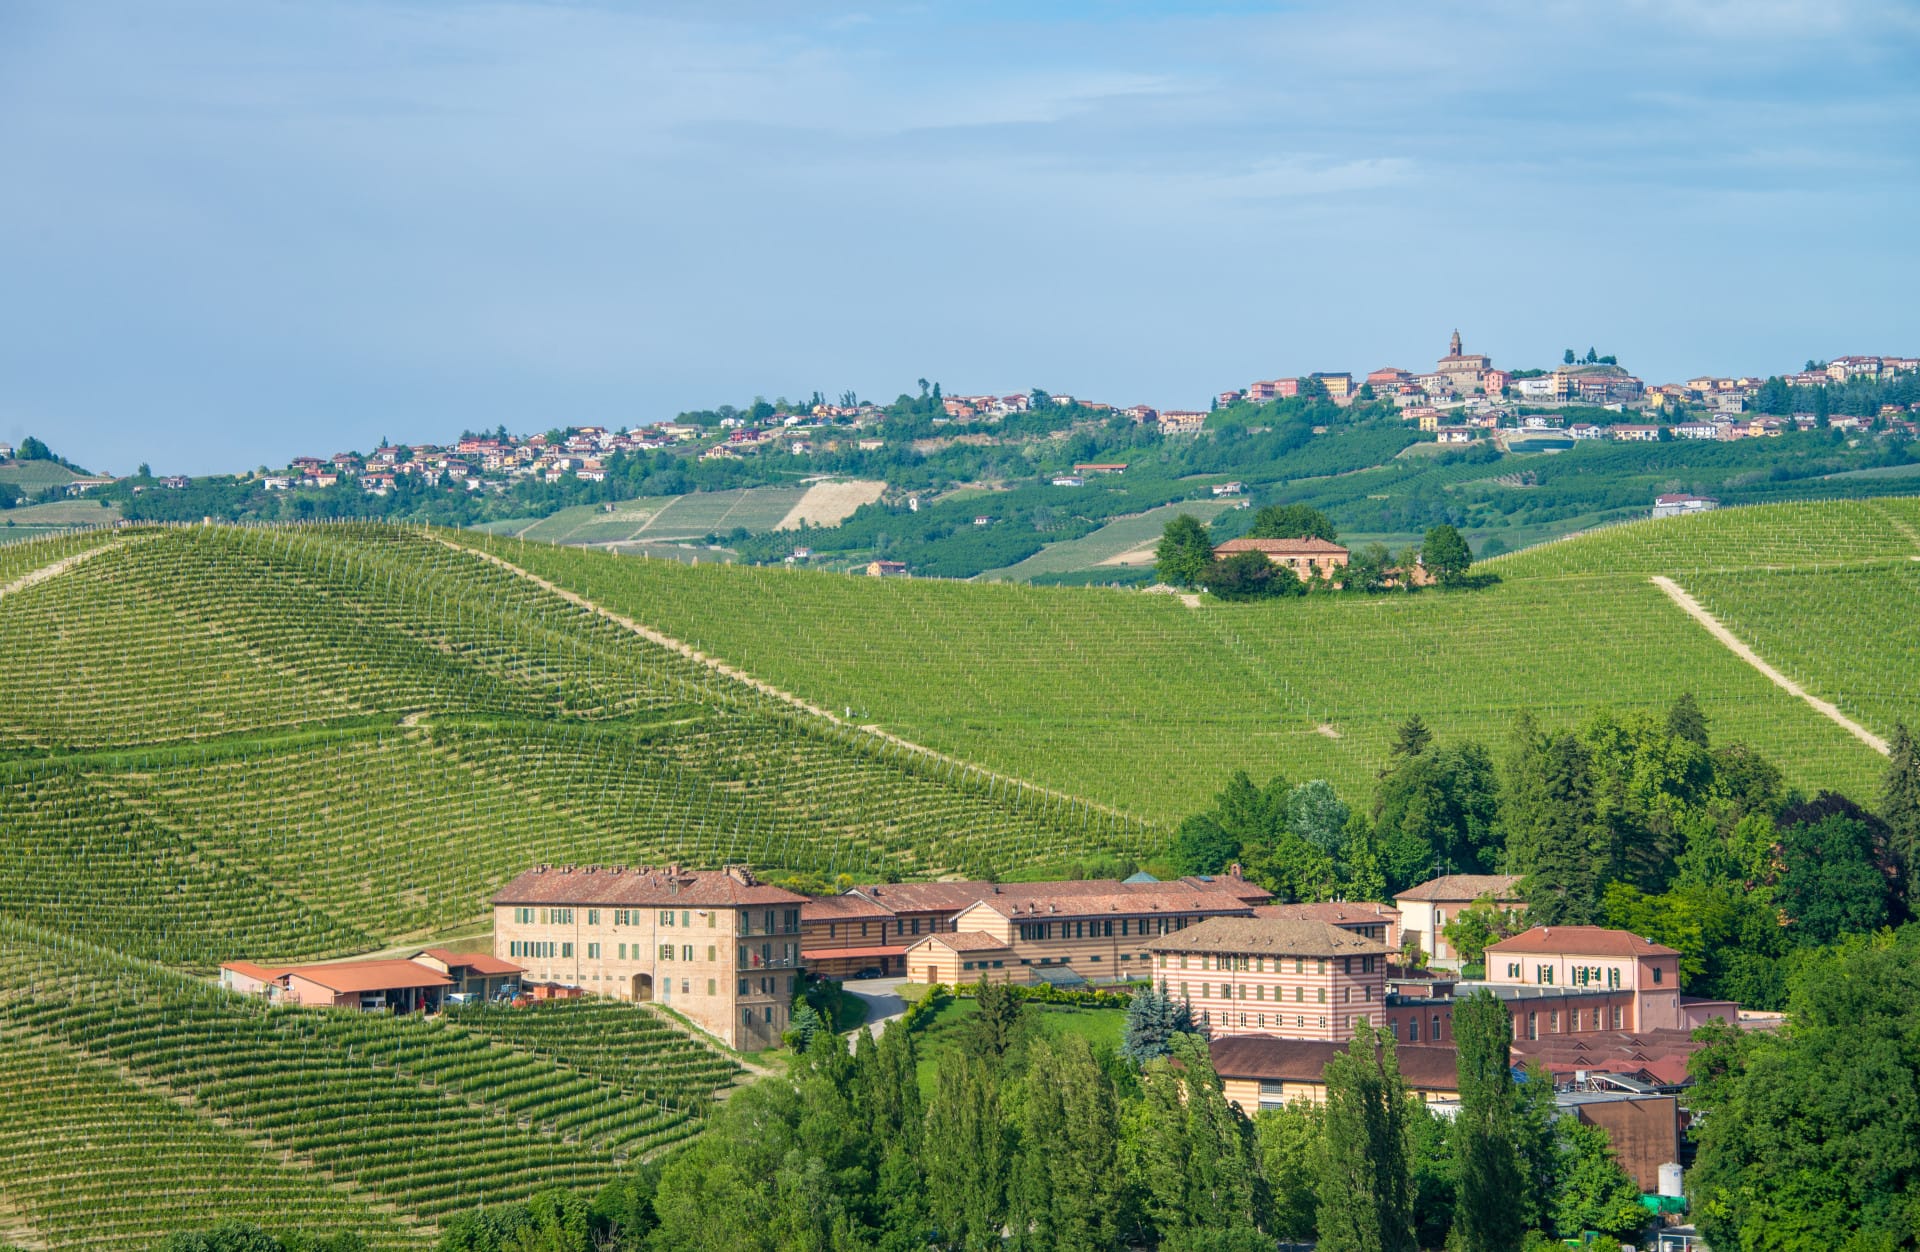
[[427, 1117]]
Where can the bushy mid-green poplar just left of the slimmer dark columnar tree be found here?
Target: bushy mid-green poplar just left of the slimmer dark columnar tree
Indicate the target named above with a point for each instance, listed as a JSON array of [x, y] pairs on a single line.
[[1364, 1174]]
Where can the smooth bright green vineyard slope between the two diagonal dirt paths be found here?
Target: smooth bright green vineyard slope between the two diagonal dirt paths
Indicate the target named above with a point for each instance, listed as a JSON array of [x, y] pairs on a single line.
[[1145, 704]]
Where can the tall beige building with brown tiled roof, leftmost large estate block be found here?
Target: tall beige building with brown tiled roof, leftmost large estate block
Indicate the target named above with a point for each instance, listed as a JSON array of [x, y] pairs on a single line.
[[717, 946]]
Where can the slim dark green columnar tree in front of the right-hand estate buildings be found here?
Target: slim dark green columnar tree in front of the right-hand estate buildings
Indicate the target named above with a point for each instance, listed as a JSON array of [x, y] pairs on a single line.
[[1487, 1216]]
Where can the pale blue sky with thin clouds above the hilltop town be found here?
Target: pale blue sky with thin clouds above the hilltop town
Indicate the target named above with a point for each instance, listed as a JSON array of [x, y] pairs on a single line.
[[239, 231]]
